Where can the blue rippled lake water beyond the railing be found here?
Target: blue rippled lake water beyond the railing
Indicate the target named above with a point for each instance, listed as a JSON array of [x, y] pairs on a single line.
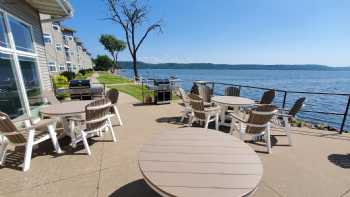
[[290, 80]]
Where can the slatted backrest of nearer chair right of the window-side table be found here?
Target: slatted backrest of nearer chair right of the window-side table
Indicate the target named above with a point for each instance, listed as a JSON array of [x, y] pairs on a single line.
[[97, 114]]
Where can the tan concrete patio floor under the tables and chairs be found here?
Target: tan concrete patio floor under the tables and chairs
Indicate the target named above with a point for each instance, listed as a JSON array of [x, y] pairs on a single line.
[[318, 164]]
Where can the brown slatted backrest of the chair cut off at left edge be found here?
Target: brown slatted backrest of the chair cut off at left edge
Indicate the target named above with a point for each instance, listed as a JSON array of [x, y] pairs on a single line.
[[7, 126]]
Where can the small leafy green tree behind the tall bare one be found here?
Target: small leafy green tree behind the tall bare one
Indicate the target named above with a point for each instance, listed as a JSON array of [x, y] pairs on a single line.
[[113, 46]]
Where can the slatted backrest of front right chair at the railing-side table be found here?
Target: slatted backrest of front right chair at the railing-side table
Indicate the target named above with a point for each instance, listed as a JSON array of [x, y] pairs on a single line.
[[259, 118]]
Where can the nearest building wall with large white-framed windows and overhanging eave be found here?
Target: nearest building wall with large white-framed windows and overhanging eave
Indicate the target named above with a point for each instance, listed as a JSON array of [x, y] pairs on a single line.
[[23, 61]]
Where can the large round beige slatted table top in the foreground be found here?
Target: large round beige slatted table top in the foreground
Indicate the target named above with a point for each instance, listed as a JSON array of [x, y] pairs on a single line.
[[199, 162]]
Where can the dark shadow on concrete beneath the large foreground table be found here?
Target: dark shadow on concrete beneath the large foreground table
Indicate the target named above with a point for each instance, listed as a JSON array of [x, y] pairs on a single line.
[[135, 188]]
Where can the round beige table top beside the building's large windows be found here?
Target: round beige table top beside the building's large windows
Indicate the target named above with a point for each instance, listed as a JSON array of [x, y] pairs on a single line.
[[65, 109]]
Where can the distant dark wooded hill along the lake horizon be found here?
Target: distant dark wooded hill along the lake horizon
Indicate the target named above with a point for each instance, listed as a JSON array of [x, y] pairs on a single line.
[[143, 65]]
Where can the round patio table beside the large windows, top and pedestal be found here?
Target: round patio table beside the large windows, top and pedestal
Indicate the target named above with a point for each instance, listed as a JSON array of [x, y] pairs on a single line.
[[64, 111]]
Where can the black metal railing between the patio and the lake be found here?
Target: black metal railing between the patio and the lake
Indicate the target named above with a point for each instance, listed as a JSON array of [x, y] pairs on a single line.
[[287, 93]]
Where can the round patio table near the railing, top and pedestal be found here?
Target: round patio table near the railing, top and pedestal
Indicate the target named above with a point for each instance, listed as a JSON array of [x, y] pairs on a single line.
[[230, 101]]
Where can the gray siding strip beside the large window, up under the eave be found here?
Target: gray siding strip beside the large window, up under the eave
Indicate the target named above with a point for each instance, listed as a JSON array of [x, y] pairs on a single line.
[[23, 11]]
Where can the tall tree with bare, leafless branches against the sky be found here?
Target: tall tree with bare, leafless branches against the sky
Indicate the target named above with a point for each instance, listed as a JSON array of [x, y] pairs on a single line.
[[131, 16]]
